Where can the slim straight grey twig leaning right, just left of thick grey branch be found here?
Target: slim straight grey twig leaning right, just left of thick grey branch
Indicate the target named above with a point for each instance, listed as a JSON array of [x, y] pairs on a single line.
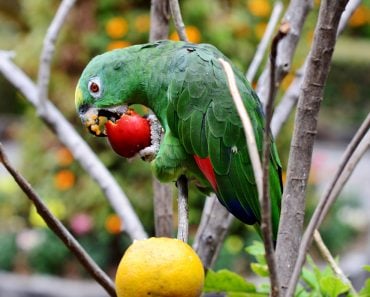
[[262, 46]]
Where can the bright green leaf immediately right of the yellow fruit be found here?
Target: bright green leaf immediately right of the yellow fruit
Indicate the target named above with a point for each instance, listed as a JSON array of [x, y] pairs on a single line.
[[227, 281]]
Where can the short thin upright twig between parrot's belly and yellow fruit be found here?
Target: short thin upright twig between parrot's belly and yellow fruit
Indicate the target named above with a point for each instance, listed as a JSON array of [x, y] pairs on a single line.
[[183, 209]]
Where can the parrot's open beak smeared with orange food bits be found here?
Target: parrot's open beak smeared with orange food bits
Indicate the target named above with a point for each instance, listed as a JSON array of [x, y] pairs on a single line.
[[94, 118]]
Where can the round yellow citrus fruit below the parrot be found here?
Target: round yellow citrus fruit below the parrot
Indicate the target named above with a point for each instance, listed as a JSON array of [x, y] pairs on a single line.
[[160, 267]]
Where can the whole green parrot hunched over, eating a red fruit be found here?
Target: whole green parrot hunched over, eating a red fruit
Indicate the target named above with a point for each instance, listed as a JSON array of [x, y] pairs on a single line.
[[199, 133]]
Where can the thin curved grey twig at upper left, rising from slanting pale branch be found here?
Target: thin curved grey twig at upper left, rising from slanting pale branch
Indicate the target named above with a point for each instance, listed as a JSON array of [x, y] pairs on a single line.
[[48, 51]]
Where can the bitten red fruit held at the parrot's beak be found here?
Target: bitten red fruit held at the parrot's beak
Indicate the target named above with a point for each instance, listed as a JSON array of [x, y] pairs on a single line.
[[129, 134]]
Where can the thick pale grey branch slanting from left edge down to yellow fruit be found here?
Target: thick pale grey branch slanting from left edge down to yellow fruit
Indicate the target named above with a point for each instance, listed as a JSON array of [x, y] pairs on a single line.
[[78, 147]]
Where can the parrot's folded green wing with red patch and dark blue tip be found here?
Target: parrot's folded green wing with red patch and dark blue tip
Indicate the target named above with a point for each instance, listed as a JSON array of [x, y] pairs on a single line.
[[201, 113]]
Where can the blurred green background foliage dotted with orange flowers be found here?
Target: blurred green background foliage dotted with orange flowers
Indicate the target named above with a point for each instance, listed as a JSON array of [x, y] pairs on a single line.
[[95, 26]]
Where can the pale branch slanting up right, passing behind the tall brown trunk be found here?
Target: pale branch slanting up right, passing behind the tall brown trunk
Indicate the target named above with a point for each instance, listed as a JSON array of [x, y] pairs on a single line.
[[290, 98]]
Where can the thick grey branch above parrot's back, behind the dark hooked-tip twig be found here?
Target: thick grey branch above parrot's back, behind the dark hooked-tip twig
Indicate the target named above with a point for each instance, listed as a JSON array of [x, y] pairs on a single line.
[[295, 15]]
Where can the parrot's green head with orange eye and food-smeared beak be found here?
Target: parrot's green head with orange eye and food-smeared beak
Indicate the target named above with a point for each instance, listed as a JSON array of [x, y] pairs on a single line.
[[105, 90]]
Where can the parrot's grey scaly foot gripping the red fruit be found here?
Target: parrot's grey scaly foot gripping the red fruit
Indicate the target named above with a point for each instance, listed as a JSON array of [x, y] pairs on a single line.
[[156, 134]]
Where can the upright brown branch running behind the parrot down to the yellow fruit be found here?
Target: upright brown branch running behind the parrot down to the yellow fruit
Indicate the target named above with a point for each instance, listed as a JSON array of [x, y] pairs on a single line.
[[162, 200]]
